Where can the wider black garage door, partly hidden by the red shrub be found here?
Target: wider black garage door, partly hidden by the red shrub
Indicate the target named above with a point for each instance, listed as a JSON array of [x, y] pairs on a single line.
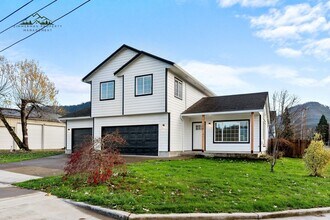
[[141, 139]]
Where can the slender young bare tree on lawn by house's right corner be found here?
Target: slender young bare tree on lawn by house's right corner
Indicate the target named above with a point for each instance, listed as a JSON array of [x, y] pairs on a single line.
[[280, 101]]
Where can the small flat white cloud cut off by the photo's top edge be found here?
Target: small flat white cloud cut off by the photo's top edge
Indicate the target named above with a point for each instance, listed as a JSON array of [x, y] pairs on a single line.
[[247, 3]]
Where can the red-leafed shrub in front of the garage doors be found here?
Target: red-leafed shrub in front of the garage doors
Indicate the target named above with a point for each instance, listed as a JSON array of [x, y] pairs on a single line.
[[93, 165]]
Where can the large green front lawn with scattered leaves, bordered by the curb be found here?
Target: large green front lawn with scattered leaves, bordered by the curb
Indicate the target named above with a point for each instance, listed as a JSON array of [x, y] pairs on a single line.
[[200, 185]]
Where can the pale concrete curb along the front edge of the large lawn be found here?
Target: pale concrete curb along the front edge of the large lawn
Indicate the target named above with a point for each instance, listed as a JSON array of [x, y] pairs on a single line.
[[185, 216]]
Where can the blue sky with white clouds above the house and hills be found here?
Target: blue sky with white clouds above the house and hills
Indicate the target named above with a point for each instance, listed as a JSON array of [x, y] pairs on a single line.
[[232, 46]]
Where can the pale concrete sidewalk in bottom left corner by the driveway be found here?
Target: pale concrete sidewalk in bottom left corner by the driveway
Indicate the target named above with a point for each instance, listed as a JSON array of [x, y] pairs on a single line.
[[19, 204]]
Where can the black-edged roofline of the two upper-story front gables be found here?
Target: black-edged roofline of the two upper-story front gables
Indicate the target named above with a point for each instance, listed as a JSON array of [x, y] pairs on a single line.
[[139, 53]]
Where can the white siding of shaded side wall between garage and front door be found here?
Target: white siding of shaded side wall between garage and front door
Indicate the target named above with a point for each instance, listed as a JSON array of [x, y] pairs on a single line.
[[190, 95]]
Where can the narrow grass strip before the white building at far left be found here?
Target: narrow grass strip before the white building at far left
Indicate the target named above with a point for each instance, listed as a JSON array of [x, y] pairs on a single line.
[[16, 156]]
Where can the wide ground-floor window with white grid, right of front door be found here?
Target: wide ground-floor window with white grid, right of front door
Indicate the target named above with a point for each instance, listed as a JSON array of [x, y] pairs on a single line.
[[231, 131]]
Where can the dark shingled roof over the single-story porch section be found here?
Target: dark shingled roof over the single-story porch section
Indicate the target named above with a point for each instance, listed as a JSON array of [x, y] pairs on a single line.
[[240, 102]]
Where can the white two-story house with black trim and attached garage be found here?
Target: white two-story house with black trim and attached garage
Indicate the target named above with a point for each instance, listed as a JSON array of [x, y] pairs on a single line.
[[162, 110]]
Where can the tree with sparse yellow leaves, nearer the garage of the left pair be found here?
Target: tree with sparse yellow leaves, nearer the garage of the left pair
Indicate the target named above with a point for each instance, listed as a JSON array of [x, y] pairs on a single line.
[[31, 90]]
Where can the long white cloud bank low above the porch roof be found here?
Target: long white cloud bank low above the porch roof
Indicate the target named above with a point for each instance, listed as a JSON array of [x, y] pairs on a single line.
[[225, 79]]
